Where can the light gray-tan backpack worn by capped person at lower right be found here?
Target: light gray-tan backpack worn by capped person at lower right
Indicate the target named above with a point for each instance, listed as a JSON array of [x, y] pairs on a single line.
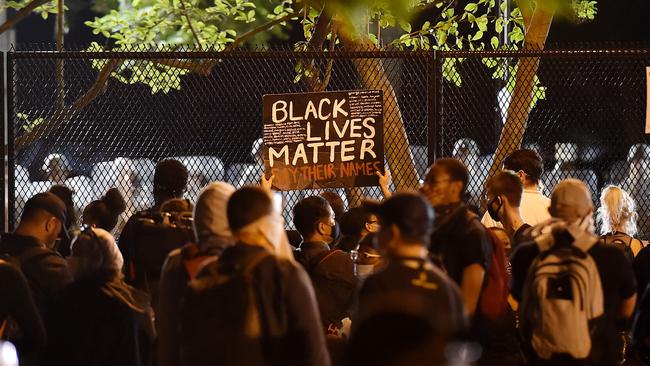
[[562, 294]]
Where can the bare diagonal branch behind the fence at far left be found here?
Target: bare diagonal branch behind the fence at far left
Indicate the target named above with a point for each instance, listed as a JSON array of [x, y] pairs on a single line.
[[65, 114]]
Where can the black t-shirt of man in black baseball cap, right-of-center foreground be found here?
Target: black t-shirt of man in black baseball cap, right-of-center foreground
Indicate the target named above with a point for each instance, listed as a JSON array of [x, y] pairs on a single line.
[[416, 287]]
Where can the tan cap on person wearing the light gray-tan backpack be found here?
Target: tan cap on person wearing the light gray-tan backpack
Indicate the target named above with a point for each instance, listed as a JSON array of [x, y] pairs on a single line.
[[571, 200]]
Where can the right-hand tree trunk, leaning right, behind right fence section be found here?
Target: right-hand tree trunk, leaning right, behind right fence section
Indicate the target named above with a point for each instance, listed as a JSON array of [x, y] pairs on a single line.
[[522, 96]]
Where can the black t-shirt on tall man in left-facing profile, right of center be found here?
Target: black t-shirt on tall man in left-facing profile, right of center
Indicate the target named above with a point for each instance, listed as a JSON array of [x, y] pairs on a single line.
[[460, 240]]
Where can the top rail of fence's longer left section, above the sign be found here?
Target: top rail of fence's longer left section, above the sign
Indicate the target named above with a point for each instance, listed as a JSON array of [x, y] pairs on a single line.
[[235, 54]]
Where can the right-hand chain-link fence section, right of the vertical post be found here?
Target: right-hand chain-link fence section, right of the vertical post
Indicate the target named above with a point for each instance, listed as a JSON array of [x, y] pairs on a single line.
[[584, 114]]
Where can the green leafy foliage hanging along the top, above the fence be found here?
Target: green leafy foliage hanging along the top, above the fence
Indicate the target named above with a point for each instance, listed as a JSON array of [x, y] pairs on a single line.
[[387, 23]]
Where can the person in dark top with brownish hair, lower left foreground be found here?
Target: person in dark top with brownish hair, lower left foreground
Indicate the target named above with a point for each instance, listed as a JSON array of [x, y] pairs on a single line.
[[98, 320]]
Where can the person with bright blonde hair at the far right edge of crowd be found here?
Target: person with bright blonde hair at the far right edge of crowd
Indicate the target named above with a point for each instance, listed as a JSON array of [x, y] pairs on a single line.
[[617, 216]]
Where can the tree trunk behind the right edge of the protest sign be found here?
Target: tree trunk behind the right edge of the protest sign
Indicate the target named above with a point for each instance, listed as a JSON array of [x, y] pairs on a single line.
[[396, 145]]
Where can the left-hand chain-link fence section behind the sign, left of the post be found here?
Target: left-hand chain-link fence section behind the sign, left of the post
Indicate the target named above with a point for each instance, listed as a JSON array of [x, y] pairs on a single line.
[[111, 116]]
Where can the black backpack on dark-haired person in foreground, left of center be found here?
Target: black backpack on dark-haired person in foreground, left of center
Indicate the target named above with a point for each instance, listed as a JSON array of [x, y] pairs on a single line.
[[220, 320]]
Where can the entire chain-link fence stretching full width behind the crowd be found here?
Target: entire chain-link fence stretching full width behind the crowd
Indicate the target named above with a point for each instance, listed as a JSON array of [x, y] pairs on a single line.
[[122, 112]]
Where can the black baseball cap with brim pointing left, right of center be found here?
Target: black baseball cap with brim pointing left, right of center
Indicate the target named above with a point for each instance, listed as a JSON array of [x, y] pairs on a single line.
[[410, 212]]
